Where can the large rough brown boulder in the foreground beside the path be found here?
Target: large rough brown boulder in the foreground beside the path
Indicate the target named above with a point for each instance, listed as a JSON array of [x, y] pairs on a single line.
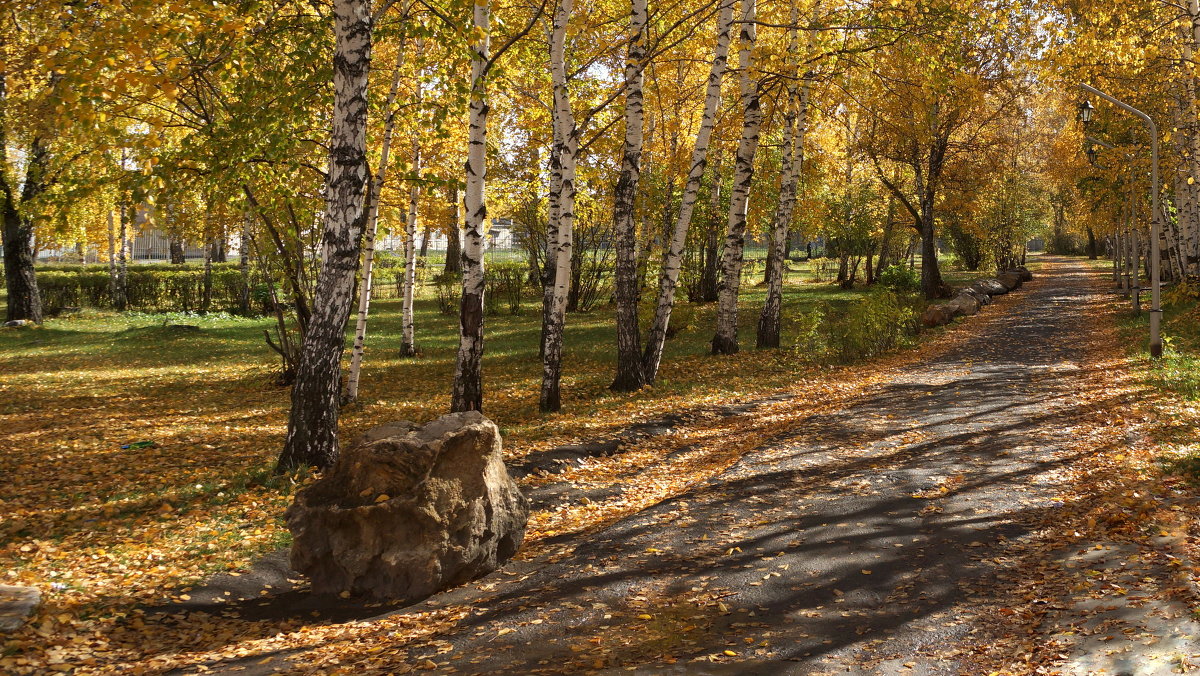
[[409, 511]]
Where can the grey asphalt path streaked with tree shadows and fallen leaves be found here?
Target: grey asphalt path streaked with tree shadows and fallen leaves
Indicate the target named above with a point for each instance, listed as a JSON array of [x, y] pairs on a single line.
[[865, 543]]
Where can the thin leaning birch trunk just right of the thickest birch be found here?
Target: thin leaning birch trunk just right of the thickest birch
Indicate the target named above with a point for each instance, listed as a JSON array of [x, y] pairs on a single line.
[[369, 243]]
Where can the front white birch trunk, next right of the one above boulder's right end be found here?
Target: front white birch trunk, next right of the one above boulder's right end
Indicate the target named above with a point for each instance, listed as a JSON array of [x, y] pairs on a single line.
[[567, 149]]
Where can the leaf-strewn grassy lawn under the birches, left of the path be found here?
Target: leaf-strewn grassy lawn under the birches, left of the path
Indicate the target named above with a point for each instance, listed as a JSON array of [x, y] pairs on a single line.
[[106, 525]]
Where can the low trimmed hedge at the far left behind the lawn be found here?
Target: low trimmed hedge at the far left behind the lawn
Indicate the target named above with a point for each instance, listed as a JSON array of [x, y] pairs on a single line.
[[152, 289]]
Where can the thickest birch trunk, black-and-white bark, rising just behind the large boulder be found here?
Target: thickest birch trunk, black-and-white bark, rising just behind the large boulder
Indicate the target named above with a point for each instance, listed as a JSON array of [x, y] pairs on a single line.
[[313, 424]]
